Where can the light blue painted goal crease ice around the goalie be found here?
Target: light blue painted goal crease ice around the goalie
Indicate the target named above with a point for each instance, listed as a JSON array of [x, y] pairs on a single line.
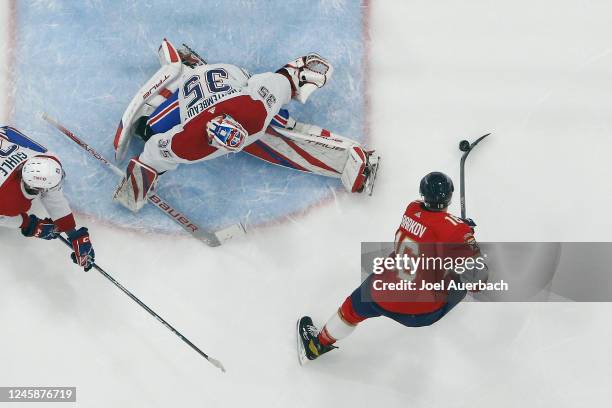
[[82, 62]]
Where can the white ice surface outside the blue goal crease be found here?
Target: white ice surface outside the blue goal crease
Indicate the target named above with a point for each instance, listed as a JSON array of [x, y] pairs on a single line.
[[538, 75]]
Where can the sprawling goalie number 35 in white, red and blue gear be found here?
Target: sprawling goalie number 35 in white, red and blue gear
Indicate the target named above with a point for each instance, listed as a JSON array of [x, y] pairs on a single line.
[[191, 111]]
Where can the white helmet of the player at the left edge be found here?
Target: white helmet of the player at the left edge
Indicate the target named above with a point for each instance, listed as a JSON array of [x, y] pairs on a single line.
[[41, 174]]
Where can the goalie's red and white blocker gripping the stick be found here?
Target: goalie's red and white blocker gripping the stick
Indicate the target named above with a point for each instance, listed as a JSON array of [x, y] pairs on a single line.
[[140, 180]]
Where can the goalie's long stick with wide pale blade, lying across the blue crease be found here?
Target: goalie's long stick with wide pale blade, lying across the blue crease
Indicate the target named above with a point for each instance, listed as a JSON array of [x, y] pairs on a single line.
[[212, 239]]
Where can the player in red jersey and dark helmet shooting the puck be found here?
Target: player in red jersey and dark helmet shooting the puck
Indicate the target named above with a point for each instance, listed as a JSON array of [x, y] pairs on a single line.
[[426, 230]]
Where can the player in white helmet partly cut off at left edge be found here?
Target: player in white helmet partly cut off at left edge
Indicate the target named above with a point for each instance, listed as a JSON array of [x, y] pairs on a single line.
[[28, 172]]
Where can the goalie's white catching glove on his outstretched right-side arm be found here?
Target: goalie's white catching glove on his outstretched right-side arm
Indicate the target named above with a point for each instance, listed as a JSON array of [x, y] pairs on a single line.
[[307, 74]]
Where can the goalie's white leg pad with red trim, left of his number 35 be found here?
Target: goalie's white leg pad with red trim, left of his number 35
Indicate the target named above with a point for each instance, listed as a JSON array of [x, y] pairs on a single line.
[[144, 101]]
